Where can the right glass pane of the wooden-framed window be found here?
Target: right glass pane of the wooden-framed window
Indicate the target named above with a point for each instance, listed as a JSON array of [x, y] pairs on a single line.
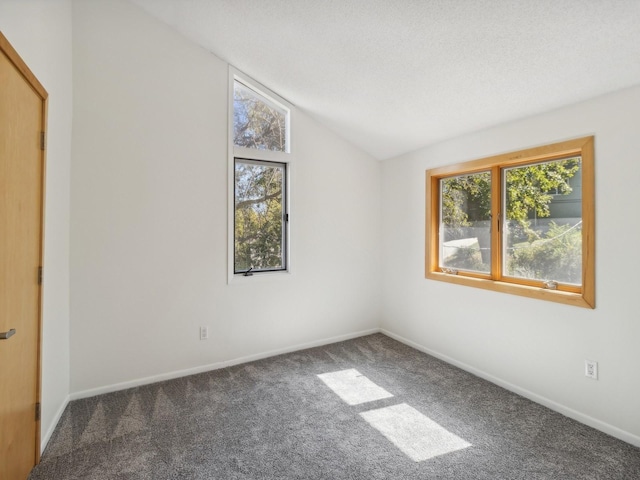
[[543, 209]]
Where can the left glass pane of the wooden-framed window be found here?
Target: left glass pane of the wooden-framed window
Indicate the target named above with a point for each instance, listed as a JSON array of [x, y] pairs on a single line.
[[465, 222]]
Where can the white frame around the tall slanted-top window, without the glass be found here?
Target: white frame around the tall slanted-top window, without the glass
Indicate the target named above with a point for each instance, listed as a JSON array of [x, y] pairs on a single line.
[[234, 152]]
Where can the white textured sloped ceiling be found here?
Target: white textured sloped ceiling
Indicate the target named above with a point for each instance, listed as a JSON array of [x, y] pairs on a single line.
[[392, 76]]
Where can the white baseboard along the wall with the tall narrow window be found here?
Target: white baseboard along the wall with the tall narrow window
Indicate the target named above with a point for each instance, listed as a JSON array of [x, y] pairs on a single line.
[[215, 366]]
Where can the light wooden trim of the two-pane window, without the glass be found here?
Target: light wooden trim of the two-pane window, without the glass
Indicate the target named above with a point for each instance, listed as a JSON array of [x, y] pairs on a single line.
[[583, 296]]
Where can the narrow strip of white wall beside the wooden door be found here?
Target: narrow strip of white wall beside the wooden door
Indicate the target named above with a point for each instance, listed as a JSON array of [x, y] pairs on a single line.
[[40, 30]]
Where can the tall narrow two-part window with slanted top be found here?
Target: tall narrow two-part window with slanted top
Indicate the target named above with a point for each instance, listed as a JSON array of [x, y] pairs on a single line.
[[259, 142]]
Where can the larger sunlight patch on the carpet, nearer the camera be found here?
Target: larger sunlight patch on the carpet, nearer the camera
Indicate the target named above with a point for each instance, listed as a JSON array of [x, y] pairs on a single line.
[[415, 434]]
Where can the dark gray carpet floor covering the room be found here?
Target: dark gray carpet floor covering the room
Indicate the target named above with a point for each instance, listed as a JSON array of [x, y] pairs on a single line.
[[277, 419]]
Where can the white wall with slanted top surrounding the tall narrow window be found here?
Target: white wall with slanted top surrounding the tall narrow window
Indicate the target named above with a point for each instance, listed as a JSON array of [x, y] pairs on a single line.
[[149, 215]]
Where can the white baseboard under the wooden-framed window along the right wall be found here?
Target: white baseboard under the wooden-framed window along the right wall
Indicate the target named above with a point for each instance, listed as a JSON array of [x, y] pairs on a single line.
[[564, 410]]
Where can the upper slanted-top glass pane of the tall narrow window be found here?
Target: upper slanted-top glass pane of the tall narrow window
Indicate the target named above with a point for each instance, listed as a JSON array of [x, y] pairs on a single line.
[[257, 122]]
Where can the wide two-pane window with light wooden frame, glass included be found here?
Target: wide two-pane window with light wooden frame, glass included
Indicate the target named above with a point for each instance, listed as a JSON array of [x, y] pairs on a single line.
[[519, 223]]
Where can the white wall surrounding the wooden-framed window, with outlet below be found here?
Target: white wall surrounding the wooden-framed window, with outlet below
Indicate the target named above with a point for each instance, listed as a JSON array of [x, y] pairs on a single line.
[[537, 348]]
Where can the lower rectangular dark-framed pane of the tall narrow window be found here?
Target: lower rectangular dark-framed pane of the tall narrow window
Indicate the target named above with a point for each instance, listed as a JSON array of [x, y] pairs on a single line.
[[259, 230]]
